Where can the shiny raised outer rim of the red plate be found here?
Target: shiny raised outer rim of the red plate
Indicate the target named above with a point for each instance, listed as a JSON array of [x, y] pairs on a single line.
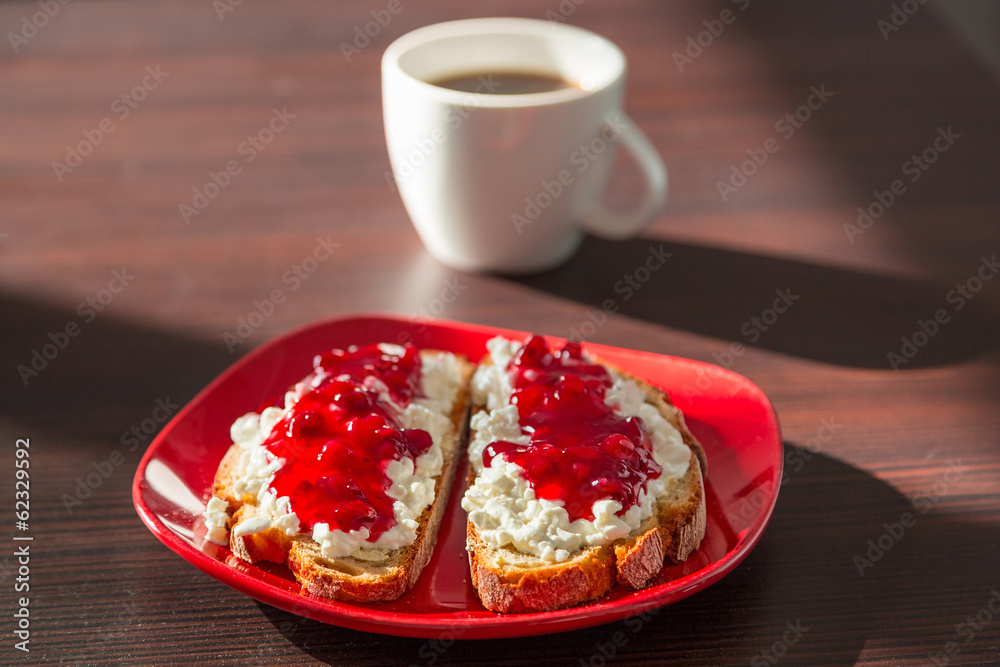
[[431, 625]]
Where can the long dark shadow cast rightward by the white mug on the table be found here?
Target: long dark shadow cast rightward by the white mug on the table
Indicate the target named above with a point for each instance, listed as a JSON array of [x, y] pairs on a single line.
[[833, 315]]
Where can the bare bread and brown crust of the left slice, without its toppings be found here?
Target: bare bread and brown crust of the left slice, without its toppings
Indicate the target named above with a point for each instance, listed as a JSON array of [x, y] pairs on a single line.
[[348, 578]]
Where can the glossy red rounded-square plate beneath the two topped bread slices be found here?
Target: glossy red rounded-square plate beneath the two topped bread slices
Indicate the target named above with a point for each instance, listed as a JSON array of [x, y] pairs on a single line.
[[729, 415]]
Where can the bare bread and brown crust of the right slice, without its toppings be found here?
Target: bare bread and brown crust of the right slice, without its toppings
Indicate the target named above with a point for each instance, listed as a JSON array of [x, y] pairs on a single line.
[[511, 581]]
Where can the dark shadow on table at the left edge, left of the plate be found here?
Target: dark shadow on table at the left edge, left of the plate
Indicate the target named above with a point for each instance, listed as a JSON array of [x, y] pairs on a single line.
[[111, 369]]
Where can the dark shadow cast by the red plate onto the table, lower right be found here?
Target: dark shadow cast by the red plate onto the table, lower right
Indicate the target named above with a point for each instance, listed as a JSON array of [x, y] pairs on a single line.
[[840, 566]]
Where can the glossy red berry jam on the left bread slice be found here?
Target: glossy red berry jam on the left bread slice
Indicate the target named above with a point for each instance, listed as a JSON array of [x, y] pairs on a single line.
[[339, 437]]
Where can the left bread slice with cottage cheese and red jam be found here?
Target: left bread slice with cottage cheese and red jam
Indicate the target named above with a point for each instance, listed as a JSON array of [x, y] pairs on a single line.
[[347, 475]]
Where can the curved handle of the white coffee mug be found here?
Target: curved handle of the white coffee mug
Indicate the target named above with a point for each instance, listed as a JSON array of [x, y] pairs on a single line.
[[614, 225]]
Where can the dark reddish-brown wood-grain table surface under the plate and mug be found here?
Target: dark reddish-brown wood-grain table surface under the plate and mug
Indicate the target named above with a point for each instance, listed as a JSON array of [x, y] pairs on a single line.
[[101, 250]]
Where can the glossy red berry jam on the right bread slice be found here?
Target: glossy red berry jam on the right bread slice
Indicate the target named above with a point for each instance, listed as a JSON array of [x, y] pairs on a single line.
[[580, 450]]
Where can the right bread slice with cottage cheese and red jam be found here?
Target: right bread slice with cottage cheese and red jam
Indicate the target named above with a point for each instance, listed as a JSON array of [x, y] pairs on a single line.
[[580, 475]]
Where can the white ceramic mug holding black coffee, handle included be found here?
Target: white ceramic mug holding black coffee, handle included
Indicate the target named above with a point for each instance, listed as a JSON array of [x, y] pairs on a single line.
[[510, 183]]
